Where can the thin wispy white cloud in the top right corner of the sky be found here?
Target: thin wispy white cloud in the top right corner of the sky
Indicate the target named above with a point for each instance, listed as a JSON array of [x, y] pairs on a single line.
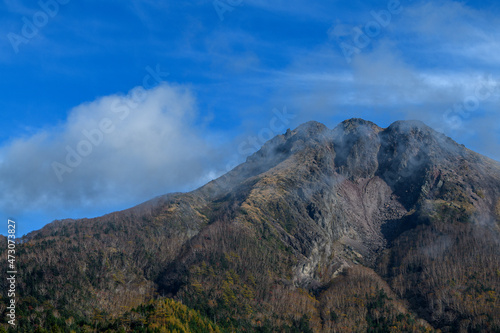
[[449, 27]]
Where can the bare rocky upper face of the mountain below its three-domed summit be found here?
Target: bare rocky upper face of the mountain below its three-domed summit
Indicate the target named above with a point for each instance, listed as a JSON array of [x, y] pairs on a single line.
[[350, 190]]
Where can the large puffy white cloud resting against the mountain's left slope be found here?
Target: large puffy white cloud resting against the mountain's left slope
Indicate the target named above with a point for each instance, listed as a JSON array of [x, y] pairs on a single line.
[[135, 147]]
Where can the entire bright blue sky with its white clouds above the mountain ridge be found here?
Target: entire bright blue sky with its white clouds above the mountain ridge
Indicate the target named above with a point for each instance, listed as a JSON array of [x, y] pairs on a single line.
[[106, 104]]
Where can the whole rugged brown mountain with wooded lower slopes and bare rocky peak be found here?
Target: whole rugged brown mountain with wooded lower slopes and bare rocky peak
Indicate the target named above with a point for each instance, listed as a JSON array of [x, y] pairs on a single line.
[[356, 228]]
